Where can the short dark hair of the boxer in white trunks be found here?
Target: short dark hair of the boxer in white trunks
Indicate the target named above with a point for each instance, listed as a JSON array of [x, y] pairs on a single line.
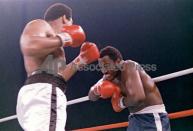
[[56, 11]]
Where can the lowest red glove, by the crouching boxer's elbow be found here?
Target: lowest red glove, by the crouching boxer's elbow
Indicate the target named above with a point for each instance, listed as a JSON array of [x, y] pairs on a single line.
[[117, 101]]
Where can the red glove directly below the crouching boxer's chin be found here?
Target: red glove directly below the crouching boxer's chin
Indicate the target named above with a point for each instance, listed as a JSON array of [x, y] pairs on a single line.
[[104, 89]]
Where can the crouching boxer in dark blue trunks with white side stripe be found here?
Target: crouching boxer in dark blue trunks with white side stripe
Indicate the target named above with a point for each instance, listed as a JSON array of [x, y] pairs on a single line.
[[129, 86]]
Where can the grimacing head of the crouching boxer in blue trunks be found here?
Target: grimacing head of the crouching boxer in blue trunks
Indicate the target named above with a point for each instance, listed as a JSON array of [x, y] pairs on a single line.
[[109, 61]]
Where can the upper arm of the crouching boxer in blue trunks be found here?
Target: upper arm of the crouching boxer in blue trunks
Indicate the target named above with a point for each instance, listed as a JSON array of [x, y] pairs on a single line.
[[133, 84]]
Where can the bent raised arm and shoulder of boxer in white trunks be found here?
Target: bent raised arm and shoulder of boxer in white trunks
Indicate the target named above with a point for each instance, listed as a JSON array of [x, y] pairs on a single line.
[[38, 38]]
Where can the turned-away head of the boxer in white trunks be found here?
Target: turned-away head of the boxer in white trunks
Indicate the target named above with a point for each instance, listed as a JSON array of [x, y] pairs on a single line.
[[58, 15]]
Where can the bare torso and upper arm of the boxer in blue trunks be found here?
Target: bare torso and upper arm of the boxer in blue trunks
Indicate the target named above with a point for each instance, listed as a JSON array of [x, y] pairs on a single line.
[[138, 87]]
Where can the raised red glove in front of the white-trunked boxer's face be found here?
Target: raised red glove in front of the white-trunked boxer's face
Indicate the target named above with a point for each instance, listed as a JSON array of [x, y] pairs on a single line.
[[77, 34]]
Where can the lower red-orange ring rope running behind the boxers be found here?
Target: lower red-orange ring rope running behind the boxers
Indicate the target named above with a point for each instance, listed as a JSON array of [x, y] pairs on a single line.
[[174, 115]]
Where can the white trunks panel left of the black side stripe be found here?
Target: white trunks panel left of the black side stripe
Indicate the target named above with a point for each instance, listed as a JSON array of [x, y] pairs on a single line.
[[33, 107]]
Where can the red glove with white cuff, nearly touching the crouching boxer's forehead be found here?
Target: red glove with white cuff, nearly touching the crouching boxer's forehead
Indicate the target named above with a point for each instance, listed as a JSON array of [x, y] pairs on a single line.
[[88, 54]]
